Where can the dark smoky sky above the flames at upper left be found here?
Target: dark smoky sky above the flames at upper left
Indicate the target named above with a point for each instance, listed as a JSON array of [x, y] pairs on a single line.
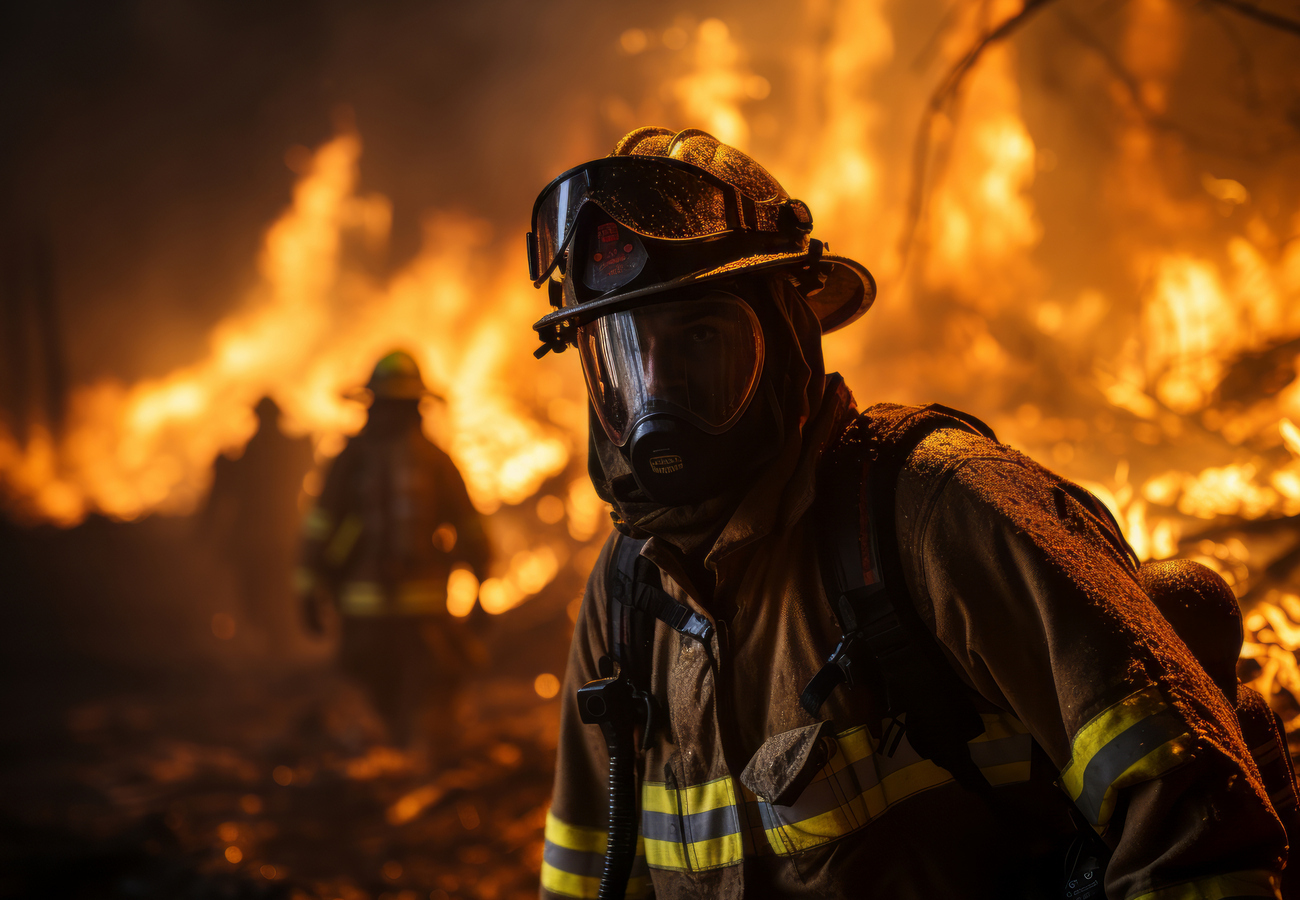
[[148, 140]]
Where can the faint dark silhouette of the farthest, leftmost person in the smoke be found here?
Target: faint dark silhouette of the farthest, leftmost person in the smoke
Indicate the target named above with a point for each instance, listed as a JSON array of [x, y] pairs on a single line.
[[252, 518]]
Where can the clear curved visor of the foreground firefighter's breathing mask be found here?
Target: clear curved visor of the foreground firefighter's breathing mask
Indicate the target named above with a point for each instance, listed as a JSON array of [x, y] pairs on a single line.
[[697, 360]]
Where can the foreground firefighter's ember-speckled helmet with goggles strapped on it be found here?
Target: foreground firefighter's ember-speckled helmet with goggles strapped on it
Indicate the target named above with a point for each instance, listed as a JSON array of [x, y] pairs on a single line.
[[668, 211]]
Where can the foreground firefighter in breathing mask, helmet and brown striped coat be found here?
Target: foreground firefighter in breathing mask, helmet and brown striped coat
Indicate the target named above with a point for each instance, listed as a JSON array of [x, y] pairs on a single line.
[[833, 652]]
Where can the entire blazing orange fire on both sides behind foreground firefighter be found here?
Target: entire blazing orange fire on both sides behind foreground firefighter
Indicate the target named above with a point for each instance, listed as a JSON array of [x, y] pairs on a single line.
[[1145, 354]]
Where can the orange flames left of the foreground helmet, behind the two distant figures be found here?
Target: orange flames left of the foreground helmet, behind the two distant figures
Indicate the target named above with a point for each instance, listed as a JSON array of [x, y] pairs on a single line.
[[310, 332]]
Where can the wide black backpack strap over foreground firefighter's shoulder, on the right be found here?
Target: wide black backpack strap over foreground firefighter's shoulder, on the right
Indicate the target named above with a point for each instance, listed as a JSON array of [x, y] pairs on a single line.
[[885, 643]]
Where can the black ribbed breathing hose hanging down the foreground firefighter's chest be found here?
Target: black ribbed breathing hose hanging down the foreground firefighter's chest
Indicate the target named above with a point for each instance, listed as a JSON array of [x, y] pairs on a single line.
[[609, 703]]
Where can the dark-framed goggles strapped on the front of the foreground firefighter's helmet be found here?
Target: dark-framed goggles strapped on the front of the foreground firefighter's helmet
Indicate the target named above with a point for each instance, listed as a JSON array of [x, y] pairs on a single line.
[[655, 197]]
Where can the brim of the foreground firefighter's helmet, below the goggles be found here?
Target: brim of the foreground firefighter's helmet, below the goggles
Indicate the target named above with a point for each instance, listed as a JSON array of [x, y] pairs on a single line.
[[850, 291]]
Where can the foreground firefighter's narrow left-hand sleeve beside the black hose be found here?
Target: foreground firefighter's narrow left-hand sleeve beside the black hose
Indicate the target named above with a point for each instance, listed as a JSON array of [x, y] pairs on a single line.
[[574, 855]]
